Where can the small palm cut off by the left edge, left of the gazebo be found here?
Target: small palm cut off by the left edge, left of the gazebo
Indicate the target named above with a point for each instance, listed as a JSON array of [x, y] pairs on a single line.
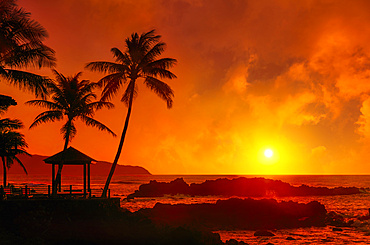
[[12, 143]]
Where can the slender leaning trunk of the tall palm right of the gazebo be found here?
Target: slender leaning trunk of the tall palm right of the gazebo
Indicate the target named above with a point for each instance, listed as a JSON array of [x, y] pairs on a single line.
[[120, 146]]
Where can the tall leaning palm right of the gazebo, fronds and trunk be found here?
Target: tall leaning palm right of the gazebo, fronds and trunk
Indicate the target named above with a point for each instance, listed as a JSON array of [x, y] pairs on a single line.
[[140, 60]]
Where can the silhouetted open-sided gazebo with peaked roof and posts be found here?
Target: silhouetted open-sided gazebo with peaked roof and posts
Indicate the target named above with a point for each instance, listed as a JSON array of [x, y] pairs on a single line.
[[71, 156]]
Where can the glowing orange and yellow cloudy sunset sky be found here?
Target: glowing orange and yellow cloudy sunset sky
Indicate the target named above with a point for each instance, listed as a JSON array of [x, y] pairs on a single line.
[[290, 76]]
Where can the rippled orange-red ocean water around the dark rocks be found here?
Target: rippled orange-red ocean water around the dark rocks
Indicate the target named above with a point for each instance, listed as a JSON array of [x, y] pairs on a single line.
[[349, 206]]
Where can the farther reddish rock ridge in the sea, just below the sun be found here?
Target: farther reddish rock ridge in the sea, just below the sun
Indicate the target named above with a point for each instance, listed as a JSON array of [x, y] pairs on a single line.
[[241, 187]]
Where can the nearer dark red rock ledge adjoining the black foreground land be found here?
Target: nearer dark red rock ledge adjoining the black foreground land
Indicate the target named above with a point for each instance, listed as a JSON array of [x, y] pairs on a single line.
[[237, 213]]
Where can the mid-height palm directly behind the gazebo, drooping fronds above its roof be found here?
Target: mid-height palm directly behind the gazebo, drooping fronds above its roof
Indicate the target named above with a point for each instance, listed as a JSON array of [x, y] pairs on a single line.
[[71, 99]]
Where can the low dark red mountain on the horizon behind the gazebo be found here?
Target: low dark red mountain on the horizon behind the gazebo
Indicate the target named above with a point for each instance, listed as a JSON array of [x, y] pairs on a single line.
[[35, 165]]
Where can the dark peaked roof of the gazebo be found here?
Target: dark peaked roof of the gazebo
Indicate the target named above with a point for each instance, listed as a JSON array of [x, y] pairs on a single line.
[[70, 156]]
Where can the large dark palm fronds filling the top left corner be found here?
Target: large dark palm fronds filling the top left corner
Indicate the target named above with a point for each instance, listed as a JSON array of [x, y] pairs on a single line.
[[21, 47]]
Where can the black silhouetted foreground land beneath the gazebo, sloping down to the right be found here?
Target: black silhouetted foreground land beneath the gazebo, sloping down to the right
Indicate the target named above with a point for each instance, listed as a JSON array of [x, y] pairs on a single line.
[[88, 222]]
